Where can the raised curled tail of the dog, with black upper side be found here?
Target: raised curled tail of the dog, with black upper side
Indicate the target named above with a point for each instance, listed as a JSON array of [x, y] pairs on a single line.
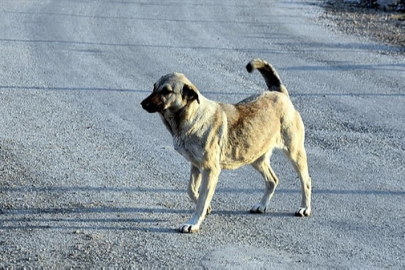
[[269, 74]]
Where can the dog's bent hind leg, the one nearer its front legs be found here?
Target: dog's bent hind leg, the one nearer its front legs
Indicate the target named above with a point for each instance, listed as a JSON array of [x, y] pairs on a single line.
[[263, 166]]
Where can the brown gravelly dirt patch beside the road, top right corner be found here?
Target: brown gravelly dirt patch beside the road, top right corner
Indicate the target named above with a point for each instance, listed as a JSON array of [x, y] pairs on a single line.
[[367, 21]]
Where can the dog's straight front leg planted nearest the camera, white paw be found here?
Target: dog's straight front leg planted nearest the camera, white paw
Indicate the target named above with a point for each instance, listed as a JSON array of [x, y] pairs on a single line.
[[209, 180]]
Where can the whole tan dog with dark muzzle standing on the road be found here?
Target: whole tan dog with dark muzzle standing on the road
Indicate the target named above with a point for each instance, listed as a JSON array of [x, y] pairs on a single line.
[[215, 136]]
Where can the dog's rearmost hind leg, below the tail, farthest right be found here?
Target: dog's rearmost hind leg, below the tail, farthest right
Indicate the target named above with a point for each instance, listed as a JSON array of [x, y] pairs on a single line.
[[298, 158]]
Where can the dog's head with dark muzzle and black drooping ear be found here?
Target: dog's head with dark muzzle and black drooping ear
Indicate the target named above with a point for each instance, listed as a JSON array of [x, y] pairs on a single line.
[[171, 92]]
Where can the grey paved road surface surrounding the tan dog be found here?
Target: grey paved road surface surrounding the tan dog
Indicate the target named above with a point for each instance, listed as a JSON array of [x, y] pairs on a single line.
[[88, 179]]
